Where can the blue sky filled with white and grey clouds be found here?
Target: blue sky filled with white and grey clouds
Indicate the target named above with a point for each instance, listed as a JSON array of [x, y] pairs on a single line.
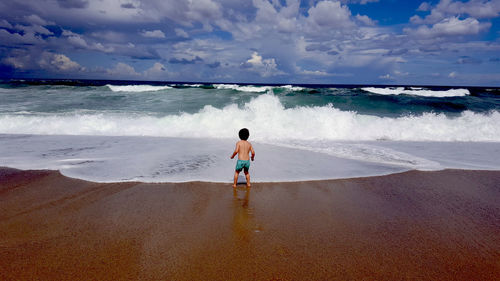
[[412, 42]]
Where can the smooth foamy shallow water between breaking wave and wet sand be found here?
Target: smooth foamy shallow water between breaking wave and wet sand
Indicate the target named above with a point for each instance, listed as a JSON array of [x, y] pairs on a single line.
[[159, 159]]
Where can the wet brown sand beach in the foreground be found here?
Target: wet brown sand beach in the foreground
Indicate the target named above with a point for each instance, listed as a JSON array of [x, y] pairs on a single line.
[[411, 226]]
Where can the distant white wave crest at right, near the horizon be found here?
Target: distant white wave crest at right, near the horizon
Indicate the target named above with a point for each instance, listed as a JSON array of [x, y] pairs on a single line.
[[417, 92]]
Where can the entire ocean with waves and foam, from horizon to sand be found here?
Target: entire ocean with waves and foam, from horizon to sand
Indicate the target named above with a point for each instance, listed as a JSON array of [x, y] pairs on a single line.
[[175, 132]]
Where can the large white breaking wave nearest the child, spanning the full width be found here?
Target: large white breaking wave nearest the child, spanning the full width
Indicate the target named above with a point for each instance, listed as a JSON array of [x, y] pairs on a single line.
[[268, 121]]
